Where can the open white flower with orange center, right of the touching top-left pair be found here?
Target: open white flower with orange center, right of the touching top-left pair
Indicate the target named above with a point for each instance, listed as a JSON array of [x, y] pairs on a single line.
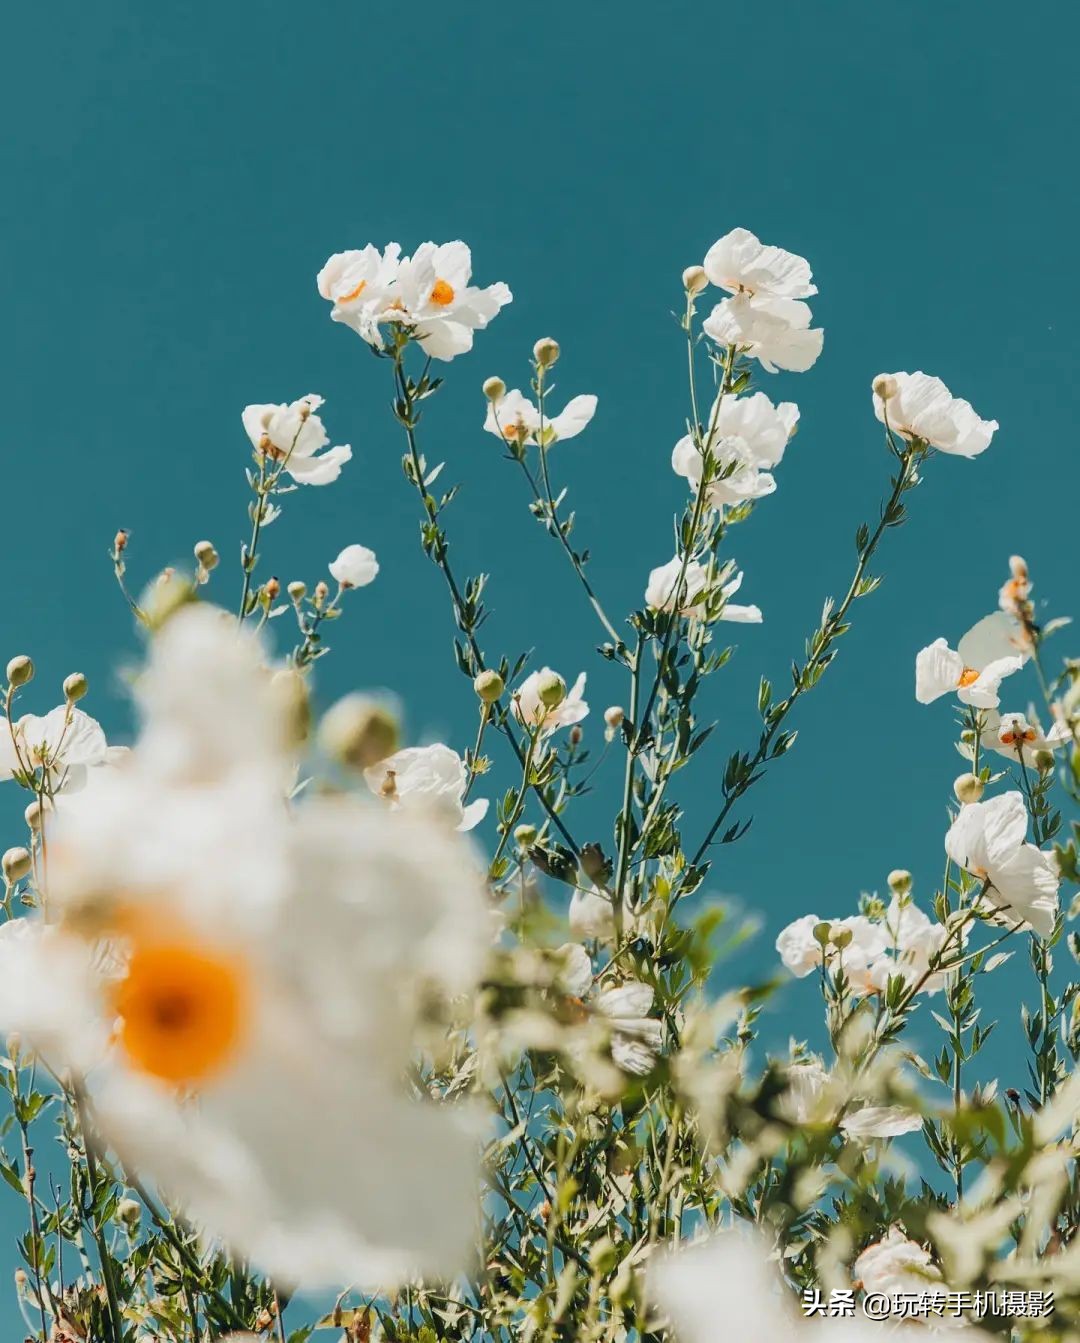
[[440, 304]]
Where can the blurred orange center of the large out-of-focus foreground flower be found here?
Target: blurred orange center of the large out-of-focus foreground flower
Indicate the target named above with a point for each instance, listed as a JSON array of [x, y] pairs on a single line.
[[183, 1009]]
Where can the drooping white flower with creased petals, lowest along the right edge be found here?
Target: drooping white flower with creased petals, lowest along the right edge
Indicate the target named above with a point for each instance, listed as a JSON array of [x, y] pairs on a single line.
[[991, 841]]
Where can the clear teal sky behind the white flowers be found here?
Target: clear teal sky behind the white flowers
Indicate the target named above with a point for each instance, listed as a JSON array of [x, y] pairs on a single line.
[[178, 174]]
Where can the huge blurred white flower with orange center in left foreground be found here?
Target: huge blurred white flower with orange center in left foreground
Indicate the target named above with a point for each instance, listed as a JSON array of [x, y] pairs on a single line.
[[277, 968]]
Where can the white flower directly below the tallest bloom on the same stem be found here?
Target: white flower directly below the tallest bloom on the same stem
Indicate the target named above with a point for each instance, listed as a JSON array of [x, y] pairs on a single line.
[[748, 436]]
